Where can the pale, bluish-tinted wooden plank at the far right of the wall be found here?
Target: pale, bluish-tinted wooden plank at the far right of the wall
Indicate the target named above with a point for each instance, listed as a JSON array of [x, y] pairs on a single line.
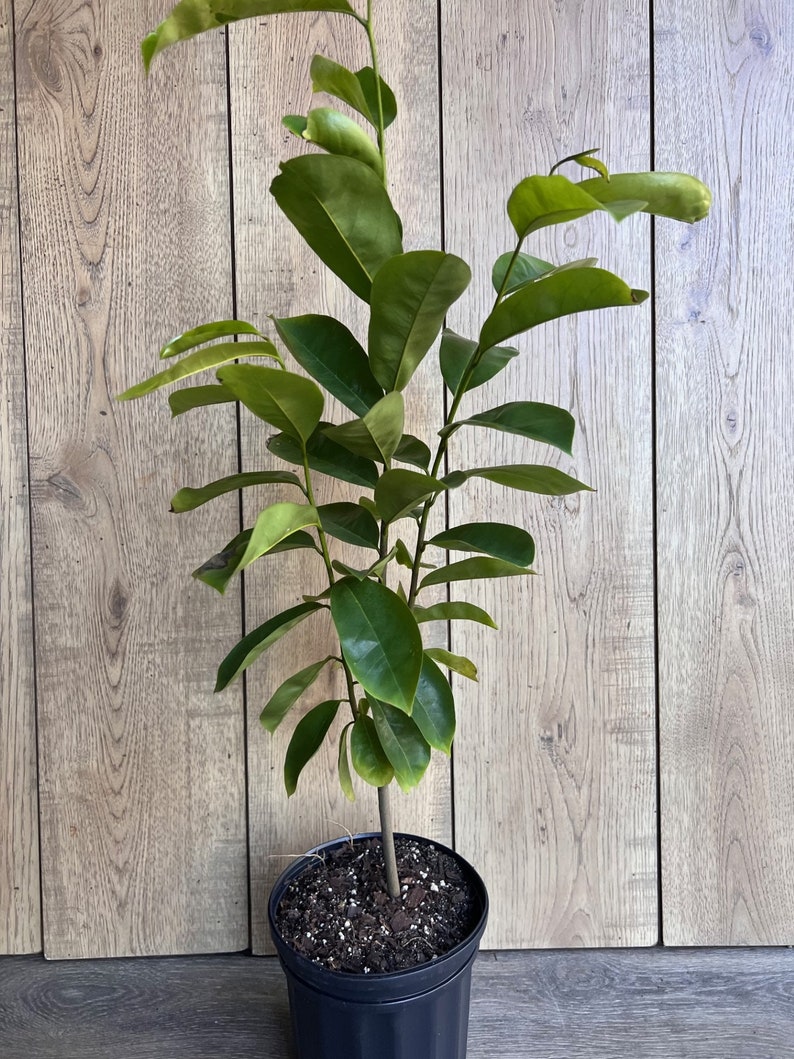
[[726, 459]]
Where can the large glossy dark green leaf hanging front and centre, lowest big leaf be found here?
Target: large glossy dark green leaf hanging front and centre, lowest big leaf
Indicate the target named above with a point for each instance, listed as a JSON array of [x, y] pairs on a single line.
[[381, 640]]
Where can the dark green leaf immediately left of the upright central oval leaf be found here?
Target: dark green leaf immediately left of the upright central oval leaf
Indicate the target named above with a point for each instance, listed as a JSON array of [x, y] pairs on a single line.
[[331, 354]]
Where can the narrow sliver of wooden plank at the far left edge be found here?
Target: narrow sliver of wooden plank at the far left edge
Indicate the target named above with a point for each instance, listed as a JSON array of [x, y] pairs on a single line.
[[21, 902]]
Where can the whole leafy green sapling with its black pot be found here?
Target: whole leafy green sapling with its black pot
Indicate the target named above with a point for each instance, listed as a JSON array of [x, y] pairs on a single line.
[[408, 914]]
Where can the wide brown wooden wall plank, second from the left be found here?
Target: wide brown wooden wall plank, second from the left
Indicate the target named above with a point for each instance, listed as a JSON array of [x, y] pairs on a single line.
[[125, 226]]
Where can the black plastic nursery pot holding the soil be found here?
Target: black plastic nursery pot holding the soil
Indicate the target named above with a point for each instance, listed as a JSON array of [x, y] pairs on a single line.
[[418, 1014]]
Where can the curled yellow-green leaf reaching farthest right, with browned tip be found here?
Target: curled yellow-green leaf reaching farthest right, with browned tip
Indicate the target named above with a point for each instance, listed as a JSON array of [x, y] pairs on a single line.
[[676, 195]]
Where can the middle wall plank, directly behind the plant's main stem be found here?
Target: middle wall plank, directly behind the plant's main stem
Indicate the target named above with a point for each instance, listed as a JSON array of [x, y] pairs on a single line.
[[278, 274]]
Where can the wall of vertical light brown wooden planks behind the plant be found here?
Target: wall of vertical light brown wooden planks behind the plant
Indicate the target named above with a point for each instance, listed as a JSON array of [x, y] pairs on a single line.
[[638, 699]]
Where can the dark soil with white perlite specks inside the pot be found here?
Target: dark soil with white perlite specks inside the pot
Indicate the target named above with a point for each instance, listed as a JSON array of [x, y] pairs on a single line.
[[339, 914]]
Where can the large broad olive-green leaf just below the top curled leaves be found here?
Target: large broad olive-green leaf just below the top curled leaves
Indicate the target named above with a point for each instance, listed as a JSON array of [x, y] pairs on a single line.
[[344, 212]]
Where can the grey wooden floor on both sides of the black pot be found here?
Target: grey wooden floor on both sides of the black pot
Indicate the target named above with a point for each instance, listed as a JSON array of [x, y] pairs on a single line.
[[630, 1004]]
